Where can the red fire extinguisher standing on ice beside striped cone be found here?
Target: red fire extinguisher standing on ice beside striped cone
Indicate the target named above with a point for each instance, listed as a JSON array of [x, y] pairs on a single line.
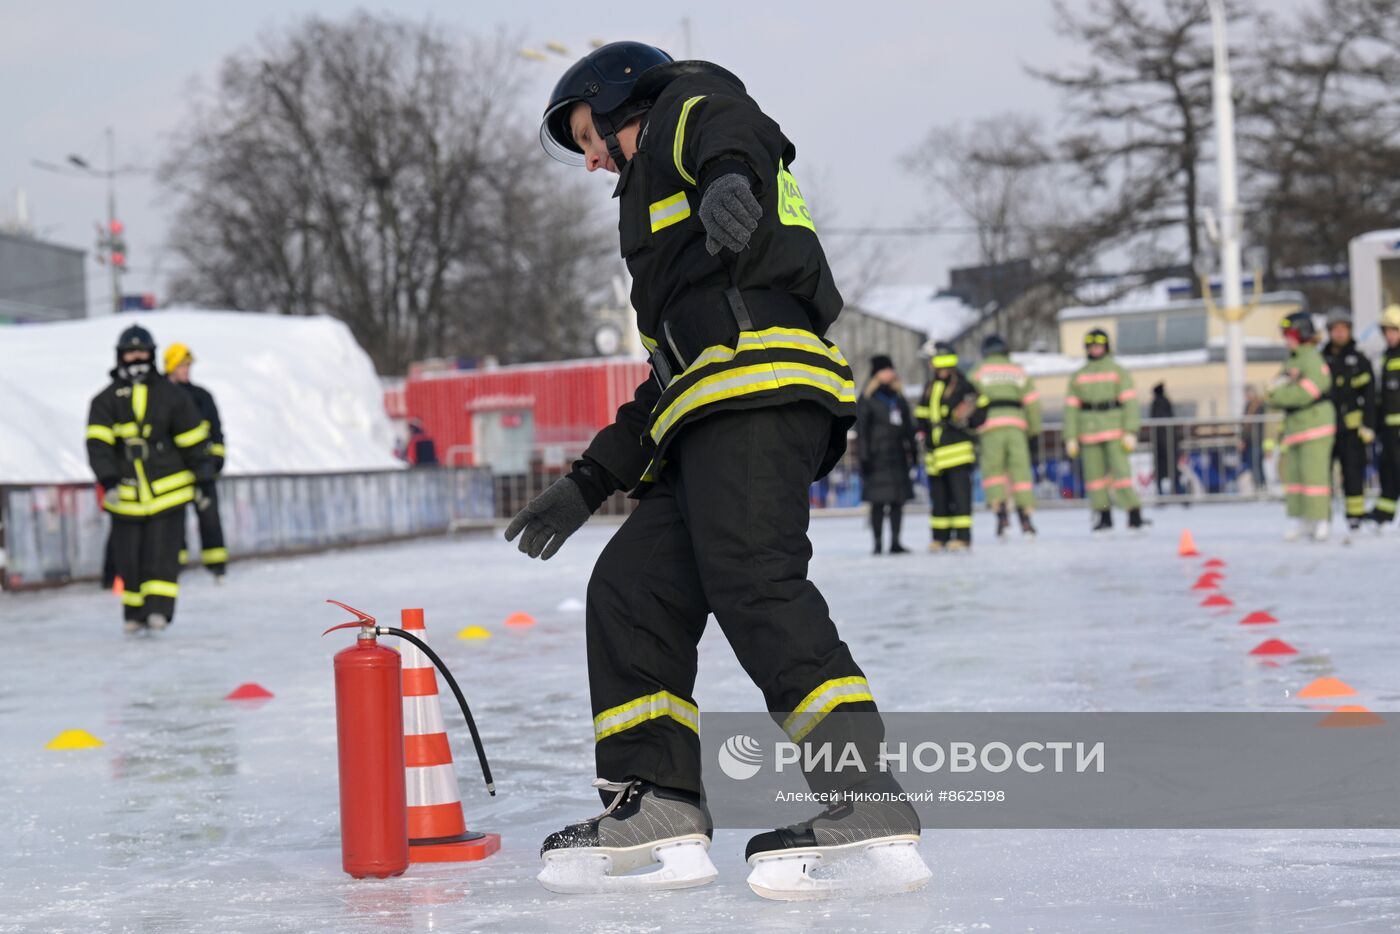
[[374, 816]]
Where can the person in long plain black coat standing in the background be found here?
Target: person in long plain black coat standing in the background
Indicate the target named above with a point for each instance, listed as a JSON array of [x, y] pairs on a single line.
[[887, 447]]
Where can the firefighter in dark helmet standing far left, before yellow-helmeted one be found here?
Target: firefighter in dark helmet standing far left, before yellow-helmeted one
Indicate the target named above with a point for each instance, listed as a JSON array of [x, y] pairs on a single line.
[[146, 446]]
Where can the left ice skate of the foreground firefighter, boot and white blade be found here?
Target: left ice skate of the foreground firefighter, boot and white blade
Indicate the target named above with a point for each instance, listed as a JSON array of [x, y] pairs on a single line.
[[642, 828]]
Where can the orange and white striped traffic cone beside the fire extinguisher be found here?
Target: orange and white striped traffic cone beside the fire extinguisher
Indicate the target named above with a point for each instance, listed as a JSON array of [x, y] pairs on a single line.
[[437, 830]]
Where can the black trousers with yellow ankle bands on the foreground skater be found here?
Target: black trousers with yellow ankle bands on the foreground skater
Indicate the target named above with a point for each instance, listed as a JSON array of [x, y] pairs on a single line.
[[724, 533]]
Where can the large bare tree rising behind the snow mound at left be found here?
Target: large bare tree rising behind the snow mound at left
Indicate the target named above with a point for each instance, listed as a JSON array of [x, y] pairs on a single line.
[[373, 170]]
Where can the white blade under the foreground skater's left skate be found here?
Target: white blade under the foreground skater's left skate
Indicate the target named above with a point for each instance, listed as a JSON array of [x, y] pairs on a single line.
[[685, 863]]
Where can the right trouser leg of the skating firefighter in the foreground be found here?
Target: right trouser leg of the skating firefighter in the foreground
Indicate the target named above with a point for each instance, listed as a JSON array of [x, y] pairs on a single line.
[[744, 481]]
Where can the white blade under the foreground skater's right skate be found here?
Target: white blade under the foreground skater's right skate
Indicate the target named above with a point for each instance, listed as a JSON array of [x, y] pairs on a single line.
[[885, 866]]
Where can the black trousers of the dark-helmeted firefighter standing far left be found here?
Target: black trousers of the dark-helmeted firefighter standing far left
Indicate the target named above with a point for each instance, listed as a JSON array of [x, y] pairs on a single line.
[[148, 561]]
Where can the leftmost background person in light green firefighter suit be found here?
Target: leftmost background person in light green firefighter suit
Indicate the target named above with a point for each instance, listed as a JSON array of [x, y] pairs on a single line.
[[1006, 438]]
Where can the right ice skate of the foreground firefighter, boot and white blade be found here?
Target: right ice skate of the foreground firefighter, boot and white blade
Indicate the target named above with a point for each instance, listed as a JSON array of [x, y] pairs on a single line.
[[848, 851]]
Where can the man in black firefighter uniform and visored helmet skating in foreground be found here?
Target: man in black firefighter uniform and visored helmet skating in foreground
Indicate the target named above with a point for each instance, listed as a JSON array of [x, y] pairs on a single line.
[[747, 407]]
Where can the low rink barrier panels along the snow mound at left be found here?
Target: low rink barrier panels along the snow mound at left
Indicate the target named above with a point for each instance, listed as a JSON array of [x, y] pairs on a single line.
[[54, 534]]
